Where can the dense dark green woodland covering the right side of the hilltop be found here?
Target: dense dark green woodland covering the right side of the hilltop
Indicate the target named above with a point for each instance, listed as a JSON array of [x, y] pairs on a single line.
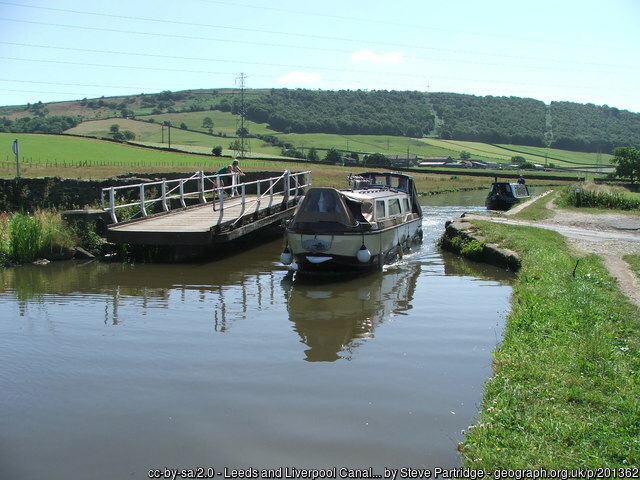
[[487, 119]]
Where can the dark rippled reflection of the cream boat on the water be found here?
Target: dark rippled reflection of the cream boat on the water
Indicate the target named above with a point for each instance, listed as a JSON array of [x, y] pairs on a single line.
[[334, 318]]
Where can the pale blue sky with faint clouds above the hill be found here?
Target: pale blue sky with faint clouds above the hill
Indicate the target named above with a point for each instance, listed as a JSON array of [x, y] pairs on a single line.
[[583, 51]]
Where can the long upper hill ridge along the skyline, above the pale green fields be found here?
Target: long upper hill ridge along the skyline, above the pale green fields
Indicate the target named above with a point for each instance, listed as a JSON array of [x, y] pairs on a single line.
[[447, 116]]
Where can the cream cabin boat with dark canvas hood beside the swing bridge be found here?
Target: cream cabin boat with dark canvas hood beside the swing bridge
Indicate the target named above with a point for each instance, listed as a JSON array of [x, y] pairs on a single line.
[[360, 228]]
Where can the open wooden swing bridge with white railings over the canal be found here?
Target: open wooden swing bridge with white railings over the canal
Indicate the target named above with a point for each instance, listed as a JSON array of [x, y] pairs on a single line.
[[200, 210]]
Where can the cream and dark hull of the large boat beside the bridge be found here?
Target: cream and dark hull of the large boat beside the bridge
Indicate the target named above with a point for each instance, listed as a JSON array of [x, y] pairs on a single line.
[[338, 252]]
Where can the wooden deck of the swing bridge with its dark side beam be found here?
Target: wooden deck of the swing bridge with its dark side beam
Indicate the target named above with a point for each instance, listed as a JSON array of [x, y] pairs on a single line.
[[201, 225]]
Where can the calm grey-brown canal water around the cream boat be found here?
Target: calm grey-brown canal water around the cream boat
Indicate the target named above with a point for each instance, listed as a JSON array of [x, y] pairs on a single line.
[[112, 370]]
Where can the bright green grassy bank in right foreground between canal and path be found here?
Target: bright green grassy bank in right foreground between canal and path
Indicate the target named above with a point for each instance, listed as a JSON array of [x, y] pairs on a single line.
[[566, 389]]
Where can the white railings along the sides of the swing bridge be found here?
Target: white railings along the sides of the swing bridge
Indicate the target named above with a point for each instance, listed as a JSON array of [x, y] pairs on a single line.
[[201, 186]]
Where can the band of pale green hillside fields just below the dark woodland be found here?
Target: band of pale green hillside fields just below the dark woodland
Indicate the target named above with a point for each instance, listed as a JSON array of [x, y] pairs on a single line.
[[226, 125]]
